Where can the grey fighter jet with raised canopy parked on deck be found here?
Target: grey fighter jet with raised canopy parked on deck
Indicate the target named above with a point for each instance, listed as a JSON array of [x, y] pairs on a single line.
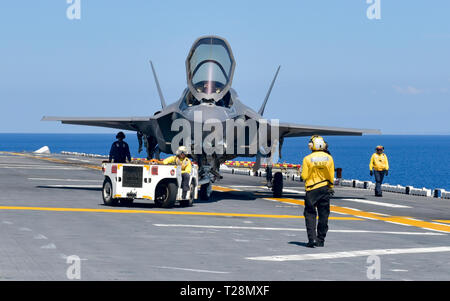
[[209, 118]]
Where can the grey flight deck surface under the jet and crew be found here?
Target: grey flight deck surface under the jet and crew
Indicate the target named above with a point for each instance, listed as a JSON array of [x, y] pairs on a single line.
[[153, 245]]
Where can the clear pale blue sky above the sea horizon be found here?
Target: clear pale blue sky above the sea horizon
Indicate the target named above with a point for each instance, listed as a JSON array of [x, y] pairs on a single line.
[[338, 67]]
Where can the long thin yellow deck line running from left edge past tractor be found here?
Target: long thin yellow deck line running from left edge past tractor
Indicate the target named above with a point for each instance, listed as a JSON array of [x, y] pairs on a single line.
[[161, 212]]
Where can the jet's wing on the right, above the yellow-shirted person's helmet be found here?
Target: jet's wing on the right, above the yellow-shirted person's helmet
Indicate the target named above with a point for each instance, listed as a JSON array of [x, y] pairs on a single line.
[[298, 130]]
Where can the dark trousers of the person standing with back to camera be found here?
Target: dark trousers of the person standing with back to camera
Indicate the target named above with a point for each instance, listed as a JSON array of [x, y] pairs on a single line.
[[317, 198]]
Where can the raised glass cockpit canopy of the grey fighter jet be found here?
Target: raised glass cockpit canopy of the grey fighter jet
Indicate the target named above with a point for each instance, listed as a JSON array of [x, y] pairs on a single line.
[[210, 67]]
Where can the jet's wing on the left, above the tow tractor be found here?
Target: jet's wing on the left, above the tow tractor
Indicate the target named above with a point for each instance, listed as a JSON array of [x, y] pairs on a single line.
[[124, 123]]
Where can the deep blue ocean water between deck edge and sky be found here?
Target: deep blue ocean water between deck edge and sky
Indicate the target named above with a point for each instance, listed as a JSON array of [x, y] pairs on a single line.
[[420, 161]]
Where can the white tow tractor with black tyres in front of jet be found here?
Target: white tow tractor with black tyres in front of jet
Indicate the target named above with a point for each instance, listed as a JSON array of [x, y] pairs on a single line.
[[161, 183]]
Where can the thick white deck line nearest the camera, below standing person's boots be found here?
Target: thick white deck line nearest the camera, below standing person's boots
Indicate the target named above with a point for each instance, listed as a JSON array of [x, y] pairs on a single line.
[[349, 254]]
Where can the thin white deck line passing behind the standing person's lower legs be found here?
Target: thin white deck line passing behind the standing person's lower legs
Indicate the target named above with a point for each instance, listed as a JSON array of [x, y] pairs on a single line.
[[292, 229]]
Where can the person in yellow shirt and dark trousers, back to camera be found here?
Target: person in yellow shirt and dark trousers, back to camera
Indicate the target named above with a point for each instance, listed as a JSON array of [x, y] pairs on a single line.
[[318, 174]]
